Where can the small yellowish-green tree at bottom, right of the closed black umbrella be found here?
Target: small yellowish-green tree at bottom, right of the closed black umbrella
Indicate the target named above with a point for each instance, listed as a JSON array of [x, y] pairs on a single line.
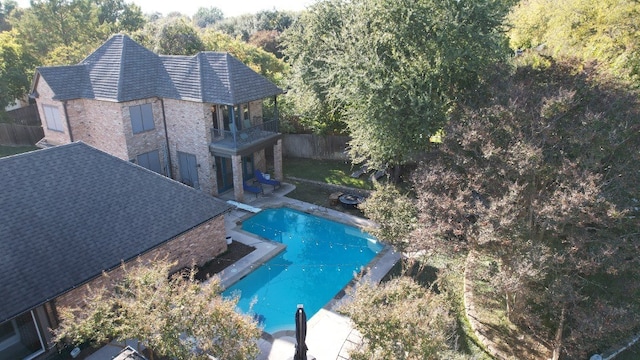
[[400, 319]]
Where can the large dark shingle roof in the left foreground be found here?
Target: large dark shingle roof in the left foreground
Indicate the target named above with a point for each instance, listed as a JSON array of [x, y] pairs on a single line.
[[69, 212]]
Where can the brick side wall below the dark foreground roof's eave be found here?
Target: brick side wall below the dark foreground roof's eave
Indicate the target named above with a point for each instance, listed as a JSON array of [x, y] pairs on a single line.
[[195, 247]]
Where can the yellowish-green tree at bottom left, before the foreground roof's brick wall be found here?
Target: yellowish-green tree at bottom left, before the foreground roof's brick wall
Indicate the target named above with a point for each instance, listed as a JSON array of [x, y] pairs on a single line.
[[173, 316]]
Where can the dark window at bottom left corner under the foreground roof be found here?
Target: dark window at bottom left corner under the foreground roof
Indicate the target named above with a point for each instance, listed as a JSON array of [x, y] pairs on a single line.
[[20, 338]]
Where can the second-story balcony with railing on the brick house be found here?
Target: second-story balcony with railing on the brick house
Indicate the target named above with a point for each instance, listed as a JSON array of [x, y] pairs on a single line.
[[245, 141]]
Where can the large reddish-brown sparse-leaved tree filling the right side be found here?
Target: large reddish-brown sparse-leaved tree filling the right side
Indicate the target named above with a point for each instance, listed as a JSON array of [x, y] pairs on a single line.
[[541, 180]]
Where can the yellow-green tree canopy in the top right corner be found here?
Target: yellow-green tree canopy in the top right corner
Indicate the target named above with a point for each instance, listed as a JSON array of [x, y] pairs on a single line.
[[606, 31]]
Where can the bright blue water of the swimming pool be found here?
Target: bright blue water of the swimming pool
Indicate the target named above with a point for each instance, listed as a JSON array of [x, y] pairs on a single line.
[[320, 258]]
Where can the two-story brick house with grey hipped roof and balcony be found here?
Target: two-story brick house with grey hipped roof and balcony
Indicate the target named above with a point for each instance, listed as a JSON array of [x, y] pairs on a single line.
[[197, 119]]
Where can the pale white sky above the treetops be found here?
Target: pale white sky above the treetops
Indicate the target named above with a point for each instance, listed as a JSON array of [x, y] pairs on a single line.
[[229, 7]]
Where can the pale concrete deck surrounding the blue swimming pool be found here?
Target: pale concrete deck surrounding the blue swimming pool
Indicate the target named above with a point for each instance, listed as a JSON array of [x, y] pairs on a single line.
[[329, 334]]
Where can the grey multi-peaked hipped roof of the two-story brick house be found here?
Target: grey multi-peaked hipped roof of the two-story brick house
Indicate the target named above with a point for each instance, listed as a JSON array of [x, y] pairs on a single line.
[[123, 70]]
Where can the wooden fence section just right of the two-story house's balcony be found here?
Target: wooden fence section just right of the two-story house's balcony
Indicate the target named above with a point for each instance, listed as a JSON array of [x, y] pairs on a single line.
[[311, 146]]
